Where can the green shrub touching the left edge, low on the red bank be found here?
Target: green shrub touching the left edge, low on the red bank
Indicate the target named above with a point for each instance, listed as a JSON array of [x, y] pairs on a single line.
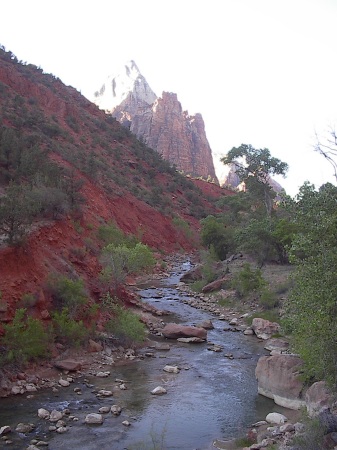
[[25, 339]]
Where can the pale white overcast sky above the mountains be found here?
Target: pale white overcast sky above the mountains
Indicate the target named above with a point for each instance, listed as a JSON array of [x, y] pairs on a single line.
[[260, 72]]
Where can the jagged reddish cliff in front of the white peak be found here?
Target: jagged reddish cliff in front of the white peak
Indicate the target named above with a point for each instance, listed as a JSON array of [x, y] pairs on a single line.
[[177, 136]]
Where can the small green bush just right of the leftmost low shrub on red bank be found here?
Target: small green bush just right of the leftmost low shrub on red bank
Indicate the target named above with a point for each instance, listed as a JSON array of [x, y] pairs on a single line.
[[68, 330]]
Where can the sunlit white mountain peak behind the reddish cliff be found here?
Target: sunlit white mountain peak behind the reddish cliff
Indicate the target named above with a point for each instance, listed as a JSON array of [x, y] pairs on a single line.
[[117, 87]]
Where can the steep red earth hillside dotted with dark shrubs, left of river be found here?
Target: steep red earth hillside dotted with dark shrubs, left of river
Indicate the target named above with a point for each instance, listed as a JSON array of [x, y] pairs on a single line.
[[115, 178]]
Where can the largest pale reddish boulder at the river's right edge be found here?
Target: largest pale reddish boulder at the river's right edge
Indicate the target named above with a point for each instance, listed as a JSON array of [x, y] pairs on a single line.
[[278, 378]]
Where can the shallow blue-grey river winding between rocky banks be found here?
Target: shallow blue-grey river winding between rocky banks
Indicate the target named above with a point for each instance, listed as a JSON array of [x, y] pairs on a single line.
[[212, 397]]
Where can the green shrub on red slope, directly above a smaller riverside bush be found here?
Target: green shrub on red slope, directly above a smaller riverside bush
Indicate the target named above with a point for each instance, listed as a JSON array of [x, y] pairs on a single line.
[[67, 293]]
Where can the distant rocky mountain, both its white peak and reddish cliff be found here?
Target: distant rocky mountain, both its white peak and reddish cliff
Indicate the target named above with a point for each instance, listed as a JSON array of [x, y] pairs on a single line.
[[159, 122]]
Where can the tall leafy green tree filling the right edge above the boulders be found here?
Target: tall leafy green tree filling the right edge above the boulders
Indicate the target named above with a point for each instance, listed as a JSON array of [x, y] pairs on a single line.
[[312, 307]]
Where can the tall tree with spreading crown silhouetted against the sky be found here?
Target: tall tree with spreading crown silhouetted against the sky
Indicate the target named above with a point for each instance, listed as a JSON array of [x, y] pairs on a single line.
[[255, 167]]
